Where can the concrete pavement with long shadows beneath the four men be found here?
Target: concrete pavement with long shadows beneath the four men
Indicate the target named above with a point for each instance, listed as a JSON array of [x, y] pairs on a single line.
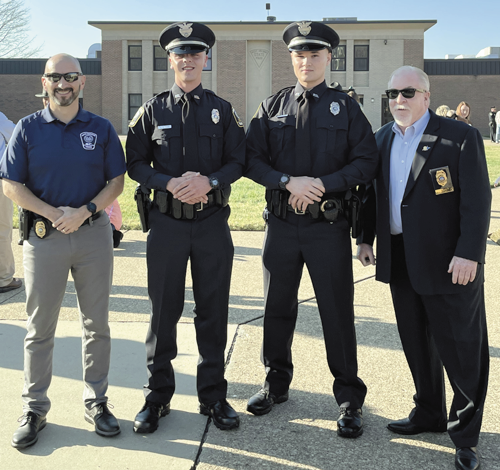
[[298, 434]]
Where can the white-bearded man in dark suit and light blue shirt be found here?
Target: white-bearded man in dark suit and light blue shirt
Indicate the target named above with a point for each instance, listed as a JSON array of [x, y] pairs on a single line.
[[432, 213]]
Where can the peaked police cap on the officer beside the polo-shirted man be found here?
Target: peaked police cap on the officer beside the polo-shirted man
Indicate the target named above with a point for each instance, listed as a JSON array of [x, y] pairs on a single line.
[[187, 38]]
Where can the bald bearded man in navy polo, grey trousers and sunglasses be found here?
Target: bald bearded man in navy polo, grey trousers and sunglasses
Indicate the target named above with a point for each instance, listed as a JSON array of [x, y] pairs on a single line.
[[64, 165]]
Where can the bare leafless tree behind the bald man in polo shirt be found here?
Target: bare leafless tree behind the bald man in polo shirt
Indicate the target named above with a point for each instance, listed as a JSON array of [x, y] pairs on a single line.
[[14, 29]]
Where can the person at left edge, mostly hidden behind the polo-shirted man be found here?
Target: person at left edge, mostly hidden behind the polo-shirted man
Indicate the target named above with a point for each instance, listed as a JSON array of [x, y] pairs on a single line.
[[7, 264]]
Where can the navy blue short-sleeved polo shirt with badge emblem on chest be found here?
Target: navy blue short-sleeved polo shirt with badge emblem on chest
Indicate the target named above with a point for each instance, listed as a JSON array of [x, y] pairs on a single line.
[[63, 164]]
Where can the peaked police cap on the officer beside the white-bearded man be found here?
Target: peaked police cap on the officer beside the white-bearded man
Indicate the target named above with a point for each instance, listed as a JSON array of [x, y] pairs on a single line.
[[310, 36]]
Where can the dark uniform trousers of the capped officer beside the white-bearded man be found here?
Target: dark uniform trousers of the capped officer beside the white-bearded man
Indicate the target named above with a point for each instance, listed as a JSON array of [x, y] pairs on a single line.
[[326, 250]]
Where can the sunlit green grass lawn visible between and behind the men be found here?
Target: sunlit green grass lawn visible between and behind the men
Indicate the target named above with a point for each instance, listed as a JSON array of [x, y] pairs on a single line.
[[247, 198]]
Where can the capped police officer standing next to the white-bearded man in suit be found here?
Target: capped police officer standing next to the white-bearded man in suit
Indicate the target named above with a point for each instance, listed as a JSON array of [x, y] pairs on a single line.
[[308, 145]]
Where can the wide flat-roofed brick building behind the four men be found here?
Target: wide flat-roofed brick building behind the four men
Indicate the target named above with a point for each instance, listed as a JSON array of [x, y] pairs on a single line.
[[249, 61]]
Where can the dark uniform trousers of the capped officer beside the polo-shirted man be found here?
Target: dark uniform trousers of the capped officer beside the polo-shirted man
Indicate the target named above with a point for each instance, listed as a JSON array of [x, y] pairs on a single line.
[[207, 242]]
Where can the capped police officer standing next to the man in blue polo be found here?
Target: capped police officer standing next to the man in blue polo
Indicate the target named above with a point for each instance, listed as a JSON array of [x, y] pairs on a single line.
[[188, 145]]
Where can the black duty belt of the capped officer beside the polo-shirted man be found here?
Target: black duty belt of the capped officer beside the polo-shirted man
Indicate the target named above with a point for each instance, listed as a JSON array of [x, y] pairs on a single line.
[[167, 204]]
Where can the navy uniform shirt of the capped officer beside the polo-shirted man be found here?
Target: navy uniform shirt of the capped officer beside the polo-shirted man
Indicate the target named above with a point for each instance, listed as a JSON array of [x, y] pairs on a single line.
[[155, 137]]
